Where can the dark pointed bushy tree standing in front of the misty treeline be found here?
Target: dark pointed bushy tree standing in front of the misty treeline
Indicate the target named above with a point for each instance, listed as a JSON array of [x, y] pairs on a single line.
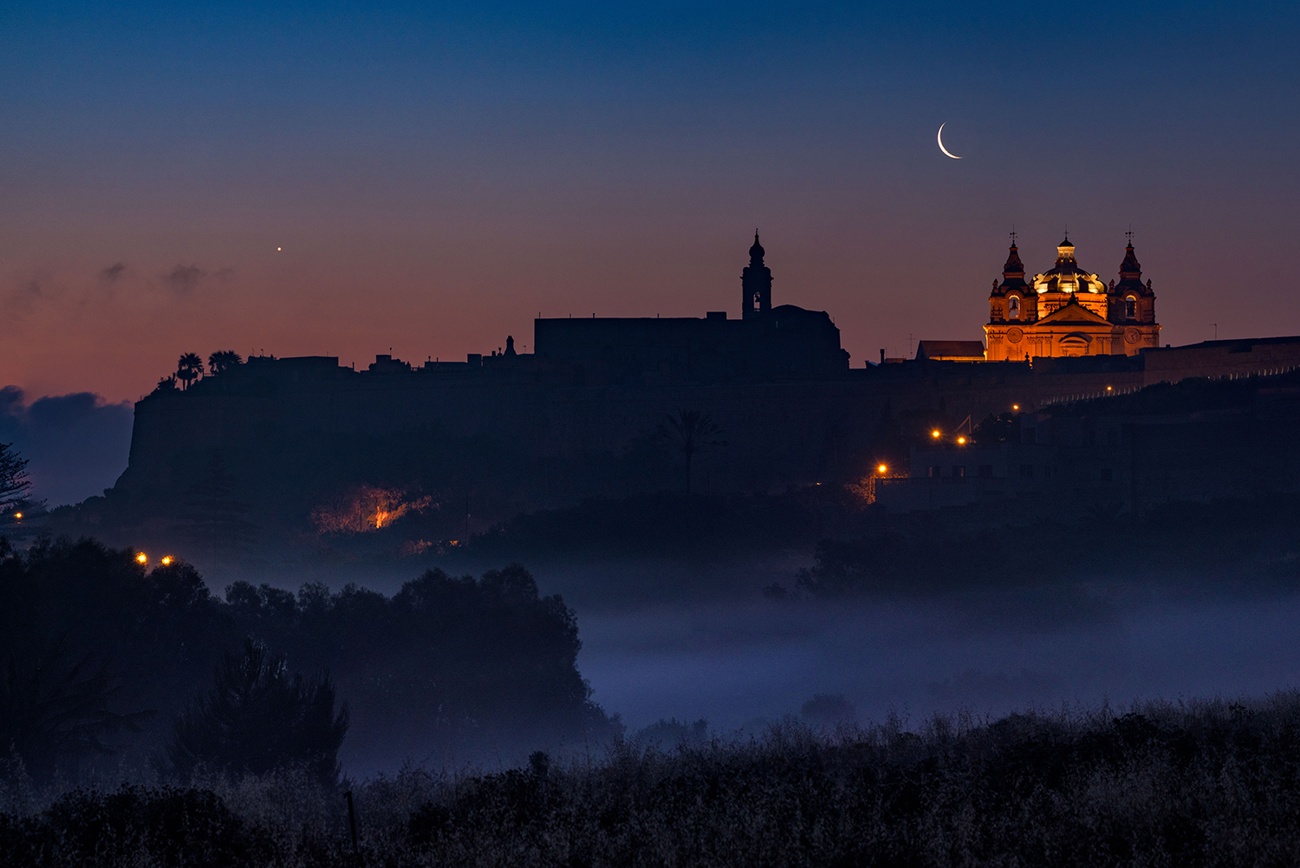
[[259, 719]]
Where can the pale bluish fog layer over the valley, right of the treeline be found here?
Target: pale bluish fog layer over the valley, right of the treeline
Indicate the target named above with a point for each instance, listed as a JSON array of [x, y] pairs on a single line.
[[740, 665]]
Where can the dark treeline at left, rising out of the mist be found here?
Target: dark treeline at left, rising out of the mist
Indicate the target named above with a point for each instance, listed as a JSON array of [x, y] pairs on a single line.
[[103, 659]]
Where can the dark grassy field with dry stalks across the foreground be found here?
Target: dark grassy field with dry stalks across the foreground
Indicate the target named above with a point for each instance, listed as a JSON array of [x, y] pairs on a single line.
[[1207, 784]]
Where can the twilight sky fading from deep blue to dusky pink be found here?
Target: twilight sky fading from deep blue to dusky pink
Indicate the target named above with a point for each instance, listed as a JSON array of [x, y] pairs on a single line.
[[436, 179]]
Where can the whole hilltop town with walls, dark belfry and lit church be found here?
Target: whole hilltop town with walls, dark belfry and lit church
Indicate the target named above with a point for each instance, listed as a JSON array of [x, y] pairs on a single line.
[[297, 441]]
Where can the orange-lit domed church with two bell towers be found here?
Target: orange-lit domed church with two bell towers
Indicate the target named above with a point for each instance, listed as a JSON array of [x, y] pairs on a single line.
[[1068, 311]]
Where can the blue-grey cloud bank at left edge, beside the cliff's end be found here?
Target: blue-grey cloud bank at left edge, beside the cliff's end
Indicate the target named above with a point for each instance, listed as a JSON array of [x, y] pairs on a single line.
[[76, 445]]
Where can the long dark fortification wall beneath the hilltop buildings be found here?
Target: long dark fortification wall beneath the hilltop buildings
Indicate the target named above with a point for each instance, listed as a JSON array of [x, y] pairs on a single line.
[[296, 433]]
